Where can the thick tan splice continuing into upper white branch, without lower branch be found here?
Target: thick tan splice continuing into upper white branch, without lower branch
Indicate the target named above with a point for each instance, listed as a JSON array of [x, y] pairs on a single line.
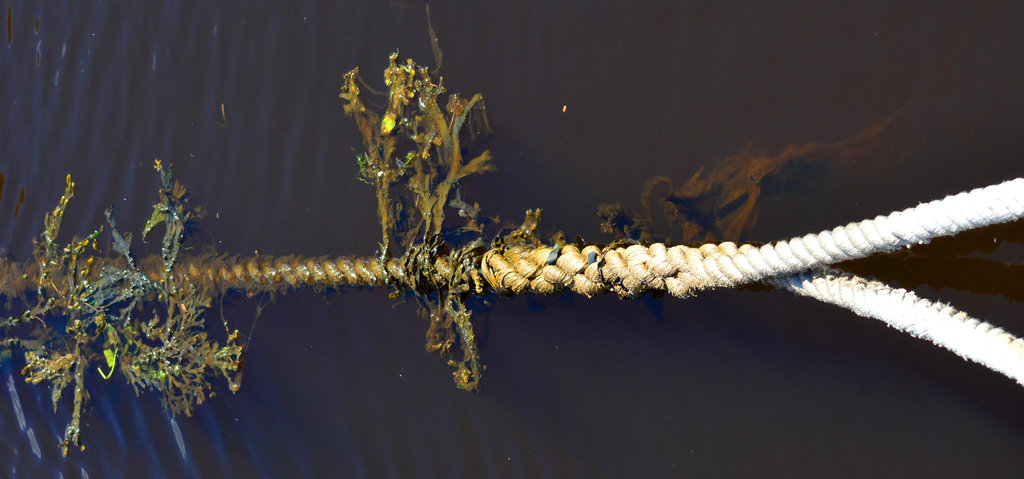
[[632, 271]]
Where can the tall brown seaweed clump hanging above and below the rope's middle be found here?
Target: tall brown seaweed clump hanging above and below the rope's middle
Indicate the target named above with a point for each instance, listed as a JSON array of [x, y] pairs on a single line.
[[414, 161]]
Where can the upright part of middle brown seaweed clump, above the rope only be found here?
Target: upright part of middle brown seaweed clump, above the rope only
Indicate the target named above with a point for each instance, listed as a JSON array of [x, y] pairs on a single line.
[[433, 164]]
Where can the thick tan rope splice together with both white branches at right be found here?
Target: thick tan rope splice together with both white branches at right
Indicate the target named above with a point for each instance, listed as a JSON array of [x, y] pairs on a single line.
[[795, 265]]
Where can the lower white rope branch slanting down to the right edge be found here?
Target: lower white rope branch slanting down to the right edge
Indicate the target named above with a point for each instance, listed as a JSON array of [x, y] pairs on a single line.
[[943, 325]]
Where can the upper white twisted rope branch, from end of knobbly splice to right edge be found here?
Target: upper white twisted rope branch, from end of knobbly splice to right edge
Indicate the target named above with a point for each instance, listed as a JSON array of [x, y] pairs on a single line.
[[730, 267]]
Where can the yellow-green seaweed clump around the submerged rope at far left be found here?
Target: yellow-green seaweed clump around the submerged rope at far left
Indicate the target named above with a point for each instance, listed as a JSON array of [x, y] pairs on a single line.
[[88, 315]]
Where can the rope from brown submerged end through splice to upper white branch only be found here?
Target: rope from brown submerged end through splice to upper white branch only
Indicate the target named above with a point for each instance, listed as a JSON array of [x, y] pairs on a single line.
[[627, 271]]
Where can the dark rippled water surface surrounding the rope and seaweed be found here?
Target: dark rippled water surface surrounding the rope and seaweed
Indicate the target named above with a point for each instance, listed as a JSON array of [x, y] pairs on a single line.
[[729, 384]]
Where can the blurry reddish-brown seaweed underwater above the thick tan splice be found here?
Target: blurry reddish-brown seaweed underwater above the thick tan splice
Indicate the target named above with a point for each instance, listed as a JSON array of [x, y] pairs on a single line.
[[722, 203]]
